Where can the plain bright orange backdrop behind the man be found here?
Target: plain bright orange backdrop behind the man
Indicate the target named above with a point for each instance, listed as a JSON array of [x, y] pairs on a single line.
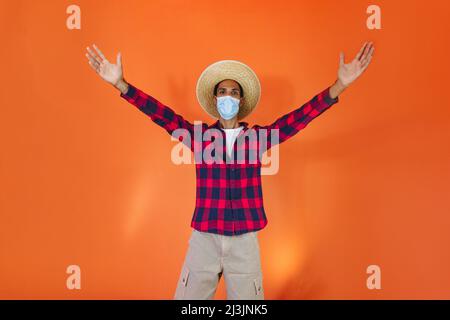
[[87, 179]]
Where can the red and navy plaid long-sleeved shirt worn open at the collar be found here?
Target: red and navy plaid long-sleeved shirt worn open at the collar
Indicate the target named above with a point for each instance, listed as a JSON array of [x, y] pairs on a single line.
[[229, 195]]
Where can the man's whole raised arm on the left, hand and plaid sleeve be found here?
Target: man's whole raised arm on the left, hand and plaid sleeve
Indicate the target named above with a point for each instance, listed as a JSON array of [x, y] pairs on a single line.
[[159, 113]]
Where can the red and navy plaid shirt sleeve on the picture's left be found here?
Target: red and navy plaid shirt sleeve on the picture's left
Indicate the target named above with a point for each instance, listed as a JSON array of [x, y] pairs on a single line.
[[160, 114]]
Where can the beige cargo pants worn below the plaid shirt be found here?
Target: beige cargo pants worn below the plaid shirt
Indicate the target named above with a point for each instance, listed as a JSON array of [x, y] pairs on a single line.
[[210, 255]]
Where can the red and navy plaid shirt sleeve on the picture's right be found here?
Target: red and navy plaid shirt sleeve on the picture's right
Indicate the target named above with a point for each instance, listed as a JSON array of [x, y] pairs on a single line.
[[291, 123]]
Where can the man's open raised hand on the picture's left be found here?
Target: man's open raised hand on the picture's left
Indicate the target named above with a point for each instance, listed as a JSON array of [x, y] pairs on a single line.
[[109, 72]]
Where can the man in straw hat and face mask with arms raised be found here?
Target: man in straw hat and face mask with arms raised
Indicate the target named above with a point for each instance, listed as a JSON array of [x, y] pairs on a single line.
[[229, 207]]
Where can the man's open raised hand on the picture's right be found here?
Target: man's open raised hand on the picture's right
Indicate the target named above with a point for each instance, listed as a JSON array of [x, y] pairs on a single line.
[[349, 72]]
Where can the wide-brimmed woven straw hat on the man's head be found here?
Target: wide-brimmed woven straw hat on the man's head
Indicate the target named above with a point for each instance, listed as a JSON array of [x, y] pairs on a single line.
[[228, 69]]
